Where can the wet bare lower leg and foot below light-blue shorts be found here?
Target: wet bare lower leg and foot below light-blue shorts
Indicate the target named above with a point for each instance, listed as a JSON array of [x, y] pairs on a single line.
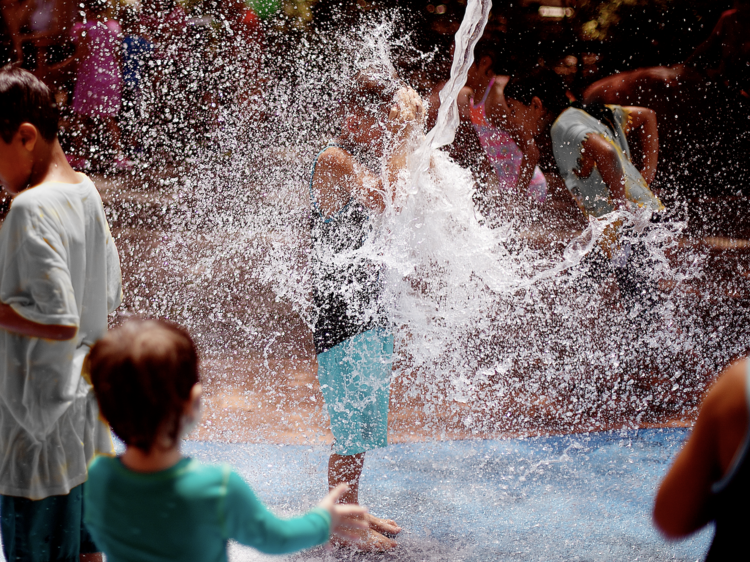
[[348, 469]]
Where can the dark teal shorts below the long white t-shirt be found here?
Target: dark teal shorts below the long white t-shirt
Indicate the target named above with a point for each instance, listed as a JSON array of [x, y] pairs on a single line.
[[47, 529]]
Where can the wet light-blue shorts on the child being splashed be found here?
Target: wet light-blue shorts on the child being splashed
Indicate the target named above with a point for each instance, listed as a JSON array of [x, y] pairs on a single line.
[[355, 377]]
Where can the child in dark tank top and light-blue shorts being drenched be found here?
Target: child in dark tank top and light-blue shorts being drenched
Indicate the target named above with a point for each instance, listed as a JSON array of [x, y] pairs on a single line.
[[353, 344]]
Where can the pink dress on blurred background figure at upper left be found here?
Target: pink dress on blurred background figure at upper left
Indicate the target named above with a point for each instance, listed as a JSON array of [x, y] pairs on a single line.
[[98, 89]]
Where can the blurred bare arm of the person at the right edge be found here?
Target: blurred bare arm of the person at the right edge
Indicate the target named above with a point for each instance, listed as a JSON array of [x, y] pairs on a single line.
[[682, 500]]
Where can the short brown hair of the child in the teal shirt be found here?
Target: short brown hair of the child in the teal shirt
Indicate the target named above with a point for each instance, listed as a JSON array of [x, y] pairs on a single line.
[[142, 374]]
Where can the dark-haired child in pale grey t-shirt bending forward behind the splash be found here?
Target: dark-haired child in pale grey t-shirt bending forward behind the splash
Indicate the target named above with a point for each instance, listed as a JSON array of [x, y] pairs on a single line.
[[591, 150]]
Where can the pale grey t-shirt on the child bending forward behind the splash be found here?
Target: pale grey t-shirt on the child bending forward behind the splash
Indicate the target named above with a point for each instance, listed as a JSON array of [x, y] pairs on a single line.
[[568, 134]]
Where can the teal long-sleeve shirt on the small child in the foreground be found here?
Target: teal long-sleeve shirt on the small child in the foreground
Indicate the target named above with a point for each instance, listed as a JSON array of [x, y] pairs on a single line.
[[187, 513]]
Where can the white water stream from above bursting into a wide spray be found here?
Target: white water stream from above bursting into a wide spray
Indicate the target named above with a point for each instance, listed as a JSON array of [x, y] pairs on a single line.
[[499, 328]]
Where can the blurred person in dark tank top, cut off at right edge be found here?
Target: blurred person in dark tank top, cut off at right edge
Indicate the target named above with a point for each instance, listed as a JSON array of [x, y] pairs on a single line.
[[710, 478]]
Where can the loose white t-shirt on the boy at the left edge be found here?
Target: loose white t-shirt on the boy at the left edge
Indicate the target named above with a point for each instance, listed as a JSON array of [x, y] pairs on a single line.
[[58, 265]]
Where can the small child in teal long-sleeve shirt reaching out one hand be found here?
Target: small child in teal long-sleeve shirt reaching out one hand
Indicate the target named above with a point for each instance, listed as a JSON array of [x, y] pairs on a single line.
[[152, 504]]
